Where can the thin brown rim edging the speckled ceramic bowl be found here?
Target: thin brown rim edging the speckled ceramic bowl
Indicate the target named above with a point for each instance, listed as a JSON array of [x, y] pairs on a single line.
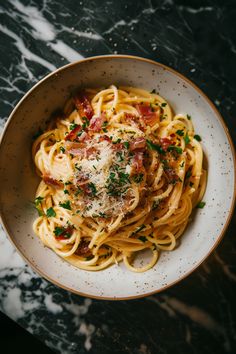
[[230, 214]]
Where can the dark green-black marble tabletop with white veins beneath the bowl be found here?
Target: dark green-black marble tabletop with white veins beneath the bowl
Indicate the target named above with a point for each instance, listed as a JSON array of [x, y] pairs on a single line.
[[194, 37]]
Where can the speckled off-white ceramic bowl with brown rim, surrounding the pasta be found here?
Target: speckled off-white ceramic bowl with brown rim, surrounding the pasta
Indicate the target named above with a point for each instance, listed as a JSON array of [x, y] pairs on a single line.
[[18, 179]]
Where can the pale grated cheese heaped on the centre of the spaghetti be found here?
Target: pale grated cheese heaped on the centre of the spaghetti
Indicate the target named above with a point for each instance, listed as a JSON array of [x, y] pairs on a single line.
[[97, 168]]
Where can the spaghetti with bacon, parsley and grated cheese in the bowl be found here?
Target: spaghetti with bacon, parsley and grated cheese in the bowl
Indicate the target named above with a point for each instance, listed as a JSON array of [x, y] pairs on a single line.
[[120, 176]]
